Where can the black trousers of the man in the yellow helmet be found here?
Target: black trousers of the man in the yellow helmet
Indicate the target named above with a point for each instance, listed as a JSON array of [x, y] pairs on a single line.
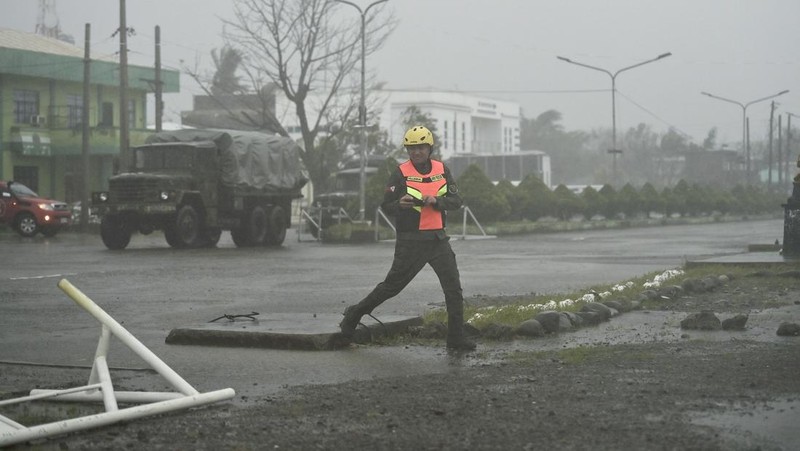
[[410, 256]]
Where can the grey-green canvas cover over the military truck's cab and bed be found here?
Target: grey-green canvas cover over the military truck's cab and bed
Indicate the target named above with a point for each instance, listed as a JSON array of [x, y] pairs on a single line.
[[248, 159]]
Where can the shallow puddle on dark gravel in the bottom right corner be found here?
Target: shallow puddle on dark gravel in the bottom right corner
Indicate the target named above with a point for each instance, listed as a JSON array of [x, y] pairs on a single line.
[[771, 425]]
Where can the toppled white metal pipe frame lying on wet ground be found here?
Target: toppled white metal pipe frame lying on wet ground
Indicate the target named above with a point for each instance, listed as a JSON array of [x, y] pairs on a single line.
[[100, 387]]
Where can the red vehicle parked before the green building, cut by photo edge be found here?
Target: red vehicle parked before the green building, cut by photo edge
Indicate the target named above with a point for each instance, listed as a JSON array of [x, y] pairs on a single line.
[[28, 213]]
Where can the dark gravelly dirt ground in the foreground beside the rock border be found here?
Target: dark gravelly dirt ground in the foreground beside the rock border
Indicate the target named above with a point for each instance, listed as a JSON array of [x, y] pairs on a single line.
[[661, 389]]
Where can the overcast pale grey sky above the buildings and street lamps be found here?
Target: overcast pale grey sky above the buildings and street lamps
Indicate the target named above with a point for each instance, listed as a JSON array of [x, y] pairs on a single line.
[[739, 49]]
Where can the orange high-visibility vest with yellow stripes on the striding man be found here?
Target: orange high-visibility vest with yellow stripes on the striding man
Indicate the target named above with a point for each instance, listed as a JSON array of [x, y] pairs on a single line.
[[431, 184]]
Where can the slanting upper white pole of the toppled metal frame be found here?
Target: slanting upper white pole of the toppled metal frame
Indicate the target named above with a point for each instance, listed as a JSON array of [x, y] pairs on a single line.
[[126, 337]]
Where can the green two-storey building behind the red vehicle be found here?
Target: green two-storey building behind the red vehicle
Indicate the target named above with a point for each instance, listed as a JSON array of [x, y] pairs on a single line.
[[41, 111]]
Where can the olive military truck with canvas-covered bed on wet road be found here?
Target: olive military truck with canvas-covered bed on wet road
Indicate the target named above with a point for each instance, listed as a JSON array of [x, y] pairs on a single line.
[[193, 184]]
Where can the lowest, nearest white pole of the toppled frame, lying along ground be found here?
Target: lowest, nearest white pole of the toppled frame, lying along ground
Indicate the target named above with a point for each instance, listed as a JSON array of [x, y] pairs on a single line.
[[107, 418]]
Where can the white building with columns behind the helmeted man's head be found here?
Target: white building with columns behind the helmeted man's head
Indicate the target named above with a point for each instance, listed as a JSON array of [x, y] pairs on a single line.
[[465, 124]]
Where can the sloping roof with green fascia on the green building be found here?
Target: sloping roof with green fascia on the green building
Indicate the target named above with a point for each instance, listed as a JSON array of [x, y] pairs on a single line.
[[33, 55]]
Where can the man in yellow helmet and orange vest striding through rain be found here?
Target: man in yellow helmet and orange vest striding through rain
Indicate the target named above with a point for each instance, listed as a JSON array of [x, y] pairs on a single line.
[[418, 194]]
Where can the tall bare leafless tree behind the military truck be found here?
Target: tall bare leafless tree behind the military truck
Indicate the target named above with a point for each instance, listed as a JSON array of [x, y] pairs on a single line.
[[312, 54]]
